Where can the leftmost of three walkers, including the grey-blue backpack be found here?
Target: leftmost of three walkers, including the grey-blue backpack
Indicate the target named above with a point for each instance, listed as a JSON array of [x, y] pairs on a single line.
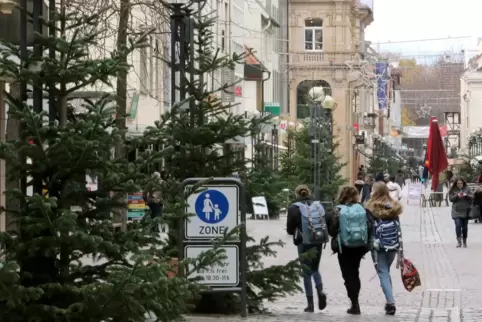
[[306, 223]]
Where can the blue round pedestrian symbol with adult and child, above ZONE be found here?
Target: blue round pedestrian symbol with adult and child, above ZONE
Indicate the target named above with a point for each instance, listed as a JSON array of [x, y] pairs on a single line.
[[211, 206]]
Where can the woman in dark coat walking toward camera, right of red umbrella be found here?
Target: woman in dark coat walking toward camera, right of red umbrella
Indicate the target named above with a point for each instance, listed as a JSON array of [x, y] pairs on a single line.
[[461, 198]]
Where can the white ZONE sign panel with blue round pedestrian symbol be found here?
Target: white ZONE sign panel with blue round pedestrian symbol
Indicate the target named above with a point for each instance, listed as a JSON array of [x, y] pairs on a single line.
[[216, 211]]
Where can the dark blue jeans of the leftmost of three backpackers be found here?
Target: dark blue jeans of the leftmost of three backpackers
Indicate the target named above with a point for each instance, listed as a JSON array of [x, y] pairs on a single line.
[[312, 268]]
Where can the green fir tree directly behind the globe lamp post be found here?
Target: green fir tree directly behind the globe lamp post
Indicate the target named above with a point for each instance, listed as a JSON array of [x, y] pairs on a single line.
[[296, 166]]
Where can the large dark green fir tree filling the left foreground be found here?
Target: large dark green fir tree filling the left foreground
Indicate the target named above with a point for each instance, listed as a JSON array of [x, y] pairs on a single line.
[[64, 261]]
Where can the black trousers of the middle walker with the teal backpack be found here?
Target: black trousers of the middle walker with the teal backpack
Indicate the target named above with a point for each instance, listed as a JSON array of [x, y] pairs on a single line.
[[349, 261]]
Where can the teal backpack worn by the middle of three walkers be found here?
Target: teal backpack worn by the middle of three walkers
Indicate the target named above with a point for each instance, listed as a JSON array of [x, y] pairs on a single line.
[[353, 226]]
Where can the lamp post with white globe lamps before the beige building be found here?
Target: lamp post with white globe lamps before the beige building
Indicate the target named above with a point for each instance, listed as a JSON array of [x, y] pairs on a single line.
[[320, 113]]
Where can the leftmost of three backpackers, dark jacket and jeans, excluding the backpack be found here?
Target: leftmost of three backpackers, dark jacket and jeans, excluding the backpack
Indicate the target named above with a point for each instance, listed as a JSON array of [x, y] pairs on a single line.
[[294, 228]]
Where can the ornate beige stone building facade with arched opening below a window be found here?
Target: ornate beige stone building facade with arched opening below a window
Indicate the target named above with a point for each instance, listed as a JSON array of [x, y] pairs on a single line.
[[327, 48]]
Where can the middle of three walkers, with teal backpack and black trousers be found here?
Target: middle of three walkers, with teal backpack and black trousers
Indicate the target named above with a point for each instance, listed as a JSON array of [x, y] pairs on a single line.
[[350, 253]]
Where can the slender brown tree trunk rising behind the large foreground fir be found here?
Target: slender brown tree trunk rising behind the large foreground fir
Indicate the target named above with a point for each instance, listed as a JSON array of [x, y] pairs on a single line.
[[121, 89]]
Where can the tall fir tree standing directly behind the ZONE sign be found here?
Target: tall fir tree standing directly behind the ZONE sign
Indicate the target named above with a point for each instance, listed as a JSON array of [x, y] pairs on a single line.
[[202, 130]]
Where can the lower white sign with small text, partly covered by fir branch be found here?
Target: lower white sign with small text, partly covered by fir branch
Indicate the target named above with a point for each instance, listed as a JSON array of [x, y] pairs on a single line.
[[225, 274]]
